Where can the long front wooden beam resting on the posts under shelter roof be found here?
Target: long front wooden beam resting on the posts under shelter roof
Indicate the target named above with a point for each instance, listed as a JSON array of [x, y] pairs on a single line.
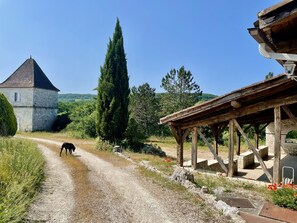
[[243, 111]]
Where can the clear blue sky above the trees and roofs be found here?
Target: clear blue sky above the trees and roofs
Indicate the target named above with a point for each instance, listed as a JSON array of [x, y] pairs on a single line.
[[68, 39]]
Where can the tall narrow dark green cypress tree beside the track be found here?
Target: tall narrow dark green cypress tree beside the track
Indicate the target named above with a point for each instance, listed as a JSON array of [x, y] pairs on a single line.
[[113, 90]]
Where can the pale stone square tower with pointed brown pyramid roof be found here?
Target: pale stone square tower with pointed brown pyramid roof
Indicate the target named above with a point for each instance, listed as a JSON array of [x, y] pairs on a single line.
[[33, 97]]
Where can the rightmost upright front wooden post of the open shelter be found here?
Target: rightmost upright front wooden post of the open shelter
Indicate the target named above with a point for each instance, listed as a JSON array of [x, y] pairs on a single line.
[[277, 144]]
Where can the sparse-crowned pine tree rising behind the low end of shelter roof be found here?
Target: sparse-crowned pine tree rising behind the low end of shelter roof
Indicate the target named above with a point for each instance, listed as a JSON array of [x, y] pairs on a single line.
[[182, 91]]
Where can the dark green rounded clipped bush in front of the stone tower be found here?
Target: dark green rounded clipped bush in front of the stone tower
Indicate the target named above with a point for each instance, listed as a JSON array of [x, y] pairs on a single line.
[[8, 122]]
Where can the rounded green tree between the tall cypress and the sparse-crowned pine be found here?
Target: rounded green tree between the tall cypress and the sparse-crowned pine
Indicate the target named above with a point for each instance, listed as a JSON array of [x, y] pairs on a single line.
[[145, 108]]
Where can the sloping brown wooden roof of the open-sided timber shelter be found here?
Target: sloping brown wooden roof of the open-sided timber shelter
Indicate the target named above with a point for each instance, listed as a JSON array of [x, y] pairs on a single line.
[[252, 104]]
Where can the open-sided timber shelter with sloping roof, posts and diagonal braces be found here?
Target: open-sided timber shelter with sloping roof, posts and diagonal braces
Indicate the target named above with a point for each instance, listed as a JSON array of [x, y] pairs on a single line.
[[269, 101]]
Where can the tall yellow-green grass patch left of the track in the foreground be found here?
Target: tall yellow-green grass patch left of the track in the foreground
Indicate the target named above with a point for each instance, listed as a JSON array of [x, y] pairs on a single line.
[[21, 175]]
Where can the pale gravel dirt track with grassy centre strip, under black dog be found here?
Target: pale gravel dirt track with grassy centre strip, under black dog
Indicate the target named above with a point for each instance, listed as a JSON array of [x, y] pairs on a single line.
[[86, 188]]
